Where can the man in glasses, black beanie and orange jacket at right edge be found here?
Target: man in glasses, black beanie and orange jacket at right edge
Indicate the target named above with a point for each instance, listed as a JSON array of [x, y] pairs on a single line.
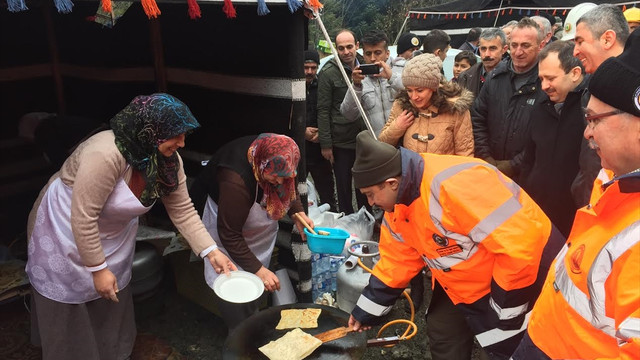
[[590, 304]]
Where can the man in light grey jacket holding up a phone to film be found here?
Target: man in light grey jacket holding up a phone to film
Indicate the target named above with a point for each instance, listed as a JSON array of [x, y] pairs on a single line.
[[375, 83]]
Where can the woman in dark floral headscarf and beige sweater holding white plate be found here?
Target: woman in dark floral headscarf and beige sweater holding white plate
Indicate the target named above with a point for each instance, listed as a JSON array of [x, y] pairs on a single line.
[[82, 229]]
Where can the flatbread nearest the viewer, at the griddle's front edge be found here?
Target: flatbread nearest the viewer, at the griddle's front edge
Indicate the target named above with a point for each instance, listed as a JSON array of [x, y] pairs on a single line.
[[294, 345]]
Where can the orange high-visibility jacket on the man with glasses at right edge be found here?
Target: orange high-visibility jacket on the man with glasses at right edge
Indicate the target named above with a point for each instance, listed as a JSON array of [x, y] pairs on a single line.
[[589, 307]]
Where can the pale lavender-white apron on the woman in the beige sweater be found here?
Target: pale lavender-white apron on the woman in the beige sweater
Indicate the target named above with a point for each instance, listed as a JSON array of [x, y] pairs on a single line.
[[54, 265]]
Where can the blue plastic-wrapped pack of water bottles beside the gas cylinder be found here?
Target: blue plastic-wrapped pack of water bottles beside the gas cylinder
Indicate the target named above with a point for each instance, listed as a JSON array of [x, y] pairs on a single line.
[[324, 274]]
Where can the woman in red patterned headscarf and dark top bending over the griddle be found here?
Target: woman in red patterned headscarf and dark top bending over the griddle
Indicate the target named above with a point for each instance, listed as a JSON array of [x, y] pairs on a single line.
[[247, 186]]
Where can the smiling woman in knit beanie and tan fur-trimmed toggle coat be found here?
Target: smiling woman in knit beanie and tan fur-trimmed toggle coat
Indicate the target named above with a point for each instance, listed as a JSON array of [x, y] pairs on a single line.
[[432, 115]]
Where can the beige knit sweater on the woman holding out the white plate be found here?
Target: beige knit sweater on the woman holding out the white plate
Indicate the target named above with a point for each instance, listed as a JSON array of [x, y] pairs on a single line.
[[92, 171]]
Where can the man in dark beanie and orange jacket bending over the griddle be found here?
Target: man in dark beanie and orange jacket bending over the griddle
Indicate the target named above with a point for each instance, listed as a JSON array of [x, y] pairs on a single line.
[[485, 240]]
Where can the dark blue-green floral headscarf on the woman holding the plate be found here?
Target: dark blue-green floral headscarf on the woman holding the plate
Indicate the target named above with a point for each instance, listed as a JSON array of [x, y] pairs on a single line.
[[145, 123]]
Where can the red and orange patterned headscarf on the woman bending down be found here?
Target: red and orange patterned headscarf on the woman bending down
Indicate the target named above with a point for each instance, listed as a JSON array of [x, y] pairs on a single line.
[[277, 155]]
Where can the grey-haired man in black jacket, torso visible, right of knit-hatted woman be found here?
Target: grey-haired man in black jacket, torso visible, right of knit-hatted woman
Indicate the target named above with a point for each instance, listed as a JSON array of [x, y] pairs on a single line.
[[503, 109]]
